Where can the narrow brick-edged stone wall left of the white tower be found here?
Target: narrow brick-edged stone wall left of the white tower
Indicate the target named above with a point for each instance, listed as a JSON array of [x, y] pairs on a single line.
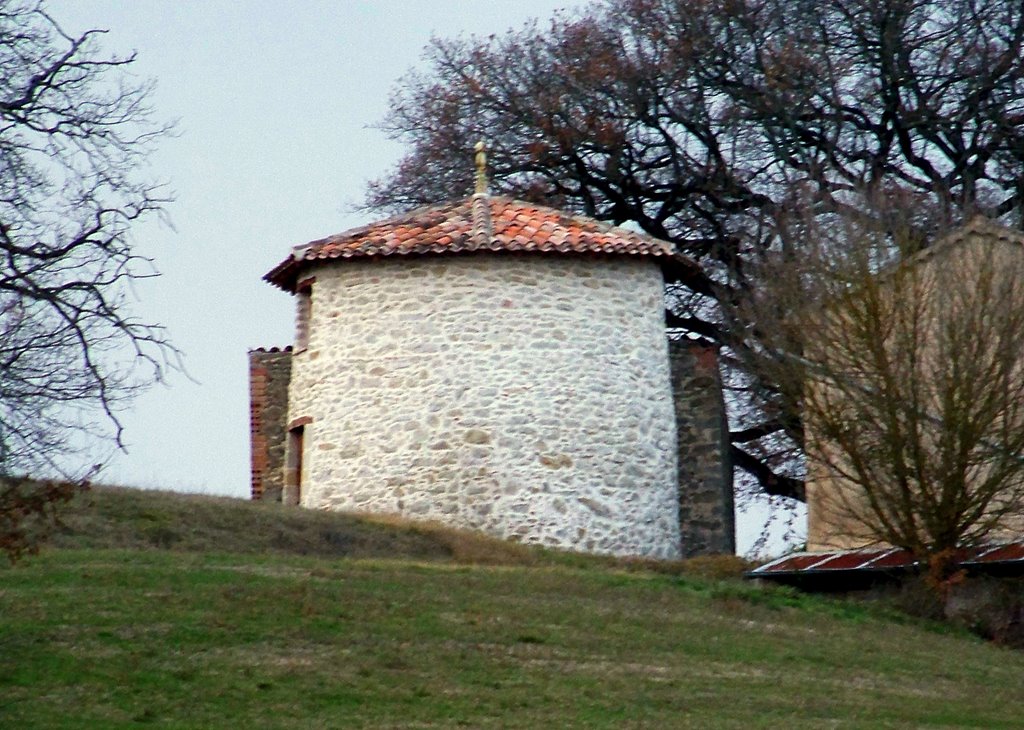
[[270, 373]]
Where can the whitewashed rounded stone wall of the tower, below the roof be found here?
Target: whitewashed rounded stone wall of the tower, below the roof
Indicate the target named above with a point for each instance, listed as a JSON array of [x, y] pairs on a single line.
[[524, 396]]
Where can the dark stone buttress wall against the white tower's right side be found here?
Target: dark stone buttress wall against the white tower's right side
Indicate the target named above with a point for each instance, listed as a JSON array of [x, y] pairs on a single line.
[[707, 522]]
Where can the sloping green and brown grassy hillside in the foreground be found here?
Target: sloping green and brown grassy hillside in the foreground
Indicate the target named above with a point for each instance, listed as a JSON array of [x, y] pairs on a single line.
[[199, 613]]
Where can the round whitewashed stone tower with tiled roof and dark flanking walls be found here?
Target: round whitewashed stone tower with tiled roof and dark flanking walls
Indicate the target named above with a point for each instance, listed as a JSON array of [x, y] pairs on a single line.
[[496, 366]]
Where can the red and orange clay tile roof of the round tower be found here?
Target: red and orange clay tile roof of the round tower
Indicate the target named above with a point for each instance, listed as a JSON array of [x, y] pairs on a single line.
[[479, 224]]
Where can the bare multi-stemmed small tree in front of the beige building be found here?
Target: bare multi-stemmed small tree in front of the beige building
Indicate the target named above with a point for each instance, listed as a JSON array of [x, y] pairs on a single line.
[[909, 368]]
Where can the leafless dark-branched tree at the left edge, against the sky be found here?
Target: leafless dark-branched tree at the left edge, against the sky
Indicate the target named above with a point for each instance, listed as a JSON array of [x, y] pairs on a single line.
[[75, 133]]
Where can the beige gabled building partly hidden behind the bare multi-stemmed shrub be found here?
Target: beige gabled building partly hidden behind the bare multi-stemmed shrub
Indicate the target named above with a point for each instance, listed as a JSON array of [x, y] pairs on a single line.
[[941, 286]]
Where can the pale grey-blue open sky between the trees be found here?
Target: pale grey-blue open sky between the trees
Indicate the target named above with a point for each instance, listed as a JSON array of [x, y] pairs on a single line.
[[275, 104]]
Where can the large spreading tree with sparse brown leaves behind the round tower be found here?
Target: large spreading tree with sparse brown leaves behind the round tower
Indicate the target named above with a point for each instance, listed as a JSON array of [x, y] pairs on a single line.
[[697, 122]]
